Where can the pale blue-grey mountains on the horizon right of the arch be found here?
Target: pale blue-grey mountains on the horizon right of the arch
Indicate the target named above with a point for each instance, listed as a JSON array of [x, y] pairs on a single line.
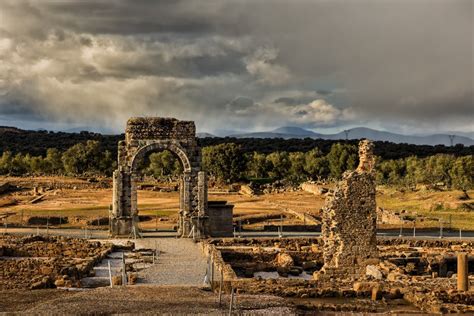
[[289, 132]]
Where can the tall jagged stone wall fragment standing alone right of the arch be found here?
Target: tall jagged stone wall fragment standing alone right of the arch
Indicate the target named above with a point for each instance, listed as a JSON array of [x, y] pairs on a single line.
[[349, 221]]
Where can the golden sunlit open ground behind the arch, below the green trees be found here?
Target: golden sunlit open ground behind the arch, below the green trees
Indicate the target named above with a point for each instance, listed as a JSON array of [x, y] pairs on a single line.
[[160, 208]]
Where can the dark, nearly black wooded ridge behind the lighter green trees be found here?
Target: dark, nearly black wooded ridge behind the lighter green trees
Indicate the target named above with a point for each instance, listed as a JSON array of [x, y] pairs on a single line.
[[36, 143]]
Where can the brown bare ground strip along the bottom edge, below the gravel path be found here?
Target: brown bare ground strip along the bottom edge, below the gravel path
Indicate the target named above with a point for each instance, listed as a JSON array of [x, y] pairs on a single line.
[[131, 299]]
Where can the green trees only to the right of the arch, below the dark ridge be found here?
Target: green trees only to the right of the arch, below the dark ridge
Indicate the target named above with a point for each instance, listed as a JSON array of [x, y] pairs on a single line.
[[228, 162]]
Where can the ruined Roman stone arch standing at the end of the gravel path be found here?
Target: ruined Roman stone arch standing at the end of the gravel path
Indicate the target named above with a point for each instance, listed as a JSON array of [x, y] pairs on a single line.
[[145, 135]]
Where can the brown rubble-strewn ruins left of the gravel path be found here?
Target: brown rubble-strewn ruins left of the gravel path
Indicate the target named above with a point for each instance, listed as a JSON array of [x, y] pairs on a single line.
[[46, 262]]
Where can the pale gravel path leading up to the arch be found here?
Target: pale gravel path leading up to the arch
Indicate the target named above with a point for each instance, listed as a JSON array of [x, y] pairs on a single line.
[[180, 262]]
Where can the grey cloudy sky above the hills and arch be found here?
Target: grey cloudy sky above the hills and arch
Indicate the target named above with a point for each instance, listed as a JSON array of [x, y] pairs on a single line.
[[398, 65]]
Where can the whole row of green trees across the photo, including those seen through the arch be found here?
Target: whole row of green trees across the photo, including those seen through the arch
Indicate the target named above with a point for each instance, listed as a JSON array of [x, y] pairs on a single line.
[[229, 162]]
